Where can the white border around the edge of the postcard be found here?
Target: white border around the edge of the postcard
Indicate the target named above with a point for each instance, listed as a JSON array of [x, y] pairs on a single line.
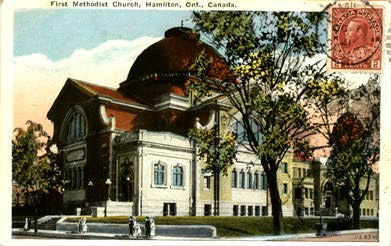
[[6, 124]]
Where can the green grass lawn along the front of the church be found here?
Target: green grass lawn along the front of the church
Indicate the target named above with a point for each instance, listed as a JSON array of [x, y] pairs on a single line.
[[229, 226]]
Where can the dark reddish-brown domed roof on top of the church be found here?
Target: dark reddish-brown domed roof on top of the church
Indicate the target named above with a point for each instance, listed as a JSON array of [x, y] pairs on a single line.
[[175, 53]]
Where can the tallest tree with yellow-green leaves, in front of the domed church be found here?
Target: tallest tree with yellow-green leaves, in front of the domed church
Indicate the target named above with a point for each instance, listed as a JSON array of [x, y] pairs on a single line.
[[273, 77]]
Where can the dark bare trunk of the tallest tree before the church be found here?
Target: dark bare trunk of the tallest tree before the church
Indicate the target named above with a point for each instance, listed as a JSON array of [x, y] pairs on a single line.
[[275, 201]]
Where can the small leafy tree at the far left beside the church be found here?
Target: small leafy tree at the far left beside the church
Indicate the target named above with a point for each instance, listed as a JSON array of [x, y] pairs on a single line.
[[35, 174]]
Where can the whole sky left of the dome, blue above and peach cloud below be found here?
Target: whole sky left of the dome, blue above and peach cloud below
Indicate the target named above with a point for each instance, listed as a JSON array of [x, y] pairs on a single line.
[[98, 46]]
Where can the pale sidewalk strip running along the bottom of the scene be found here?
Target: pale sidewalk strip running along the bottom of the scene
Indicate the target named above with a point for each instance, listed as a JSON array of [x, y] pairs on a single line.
[[289, 237]]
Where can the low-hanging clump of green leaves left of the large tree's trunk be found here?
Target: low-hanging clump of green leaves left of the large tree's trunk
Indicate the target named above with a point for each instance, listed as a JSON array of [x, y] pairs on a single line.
[[217, 152]]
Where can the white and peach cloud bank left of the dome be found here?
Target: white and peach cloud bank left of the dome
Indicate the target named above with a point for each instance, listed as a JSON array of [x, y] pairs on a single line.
[[38, 80]]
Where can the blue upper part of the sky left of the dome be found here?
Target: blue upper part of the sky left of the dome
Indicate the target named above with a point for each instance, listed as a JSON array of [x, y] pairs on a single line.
[[57, 33]]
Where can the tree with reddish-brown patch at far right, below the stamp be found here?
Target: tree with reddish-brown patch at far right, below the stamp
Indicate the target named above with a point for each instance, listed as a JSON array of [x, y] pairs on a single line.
[[355, 146]]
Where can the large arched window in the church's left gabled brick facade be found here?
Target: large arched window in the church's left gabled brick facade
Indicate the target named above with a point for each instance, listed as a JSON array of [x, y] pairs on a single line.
[[76, 126]]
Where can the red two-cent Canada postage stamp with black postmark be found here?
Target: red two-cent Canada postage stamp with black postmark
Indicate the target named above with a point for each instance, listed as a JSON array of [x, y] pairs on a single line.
[[356, 39]]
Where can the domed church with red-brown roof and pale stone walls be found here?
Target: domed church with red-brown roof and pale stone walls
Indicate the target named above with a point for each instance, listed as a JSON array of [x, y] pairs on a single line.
[[126, 150]]
